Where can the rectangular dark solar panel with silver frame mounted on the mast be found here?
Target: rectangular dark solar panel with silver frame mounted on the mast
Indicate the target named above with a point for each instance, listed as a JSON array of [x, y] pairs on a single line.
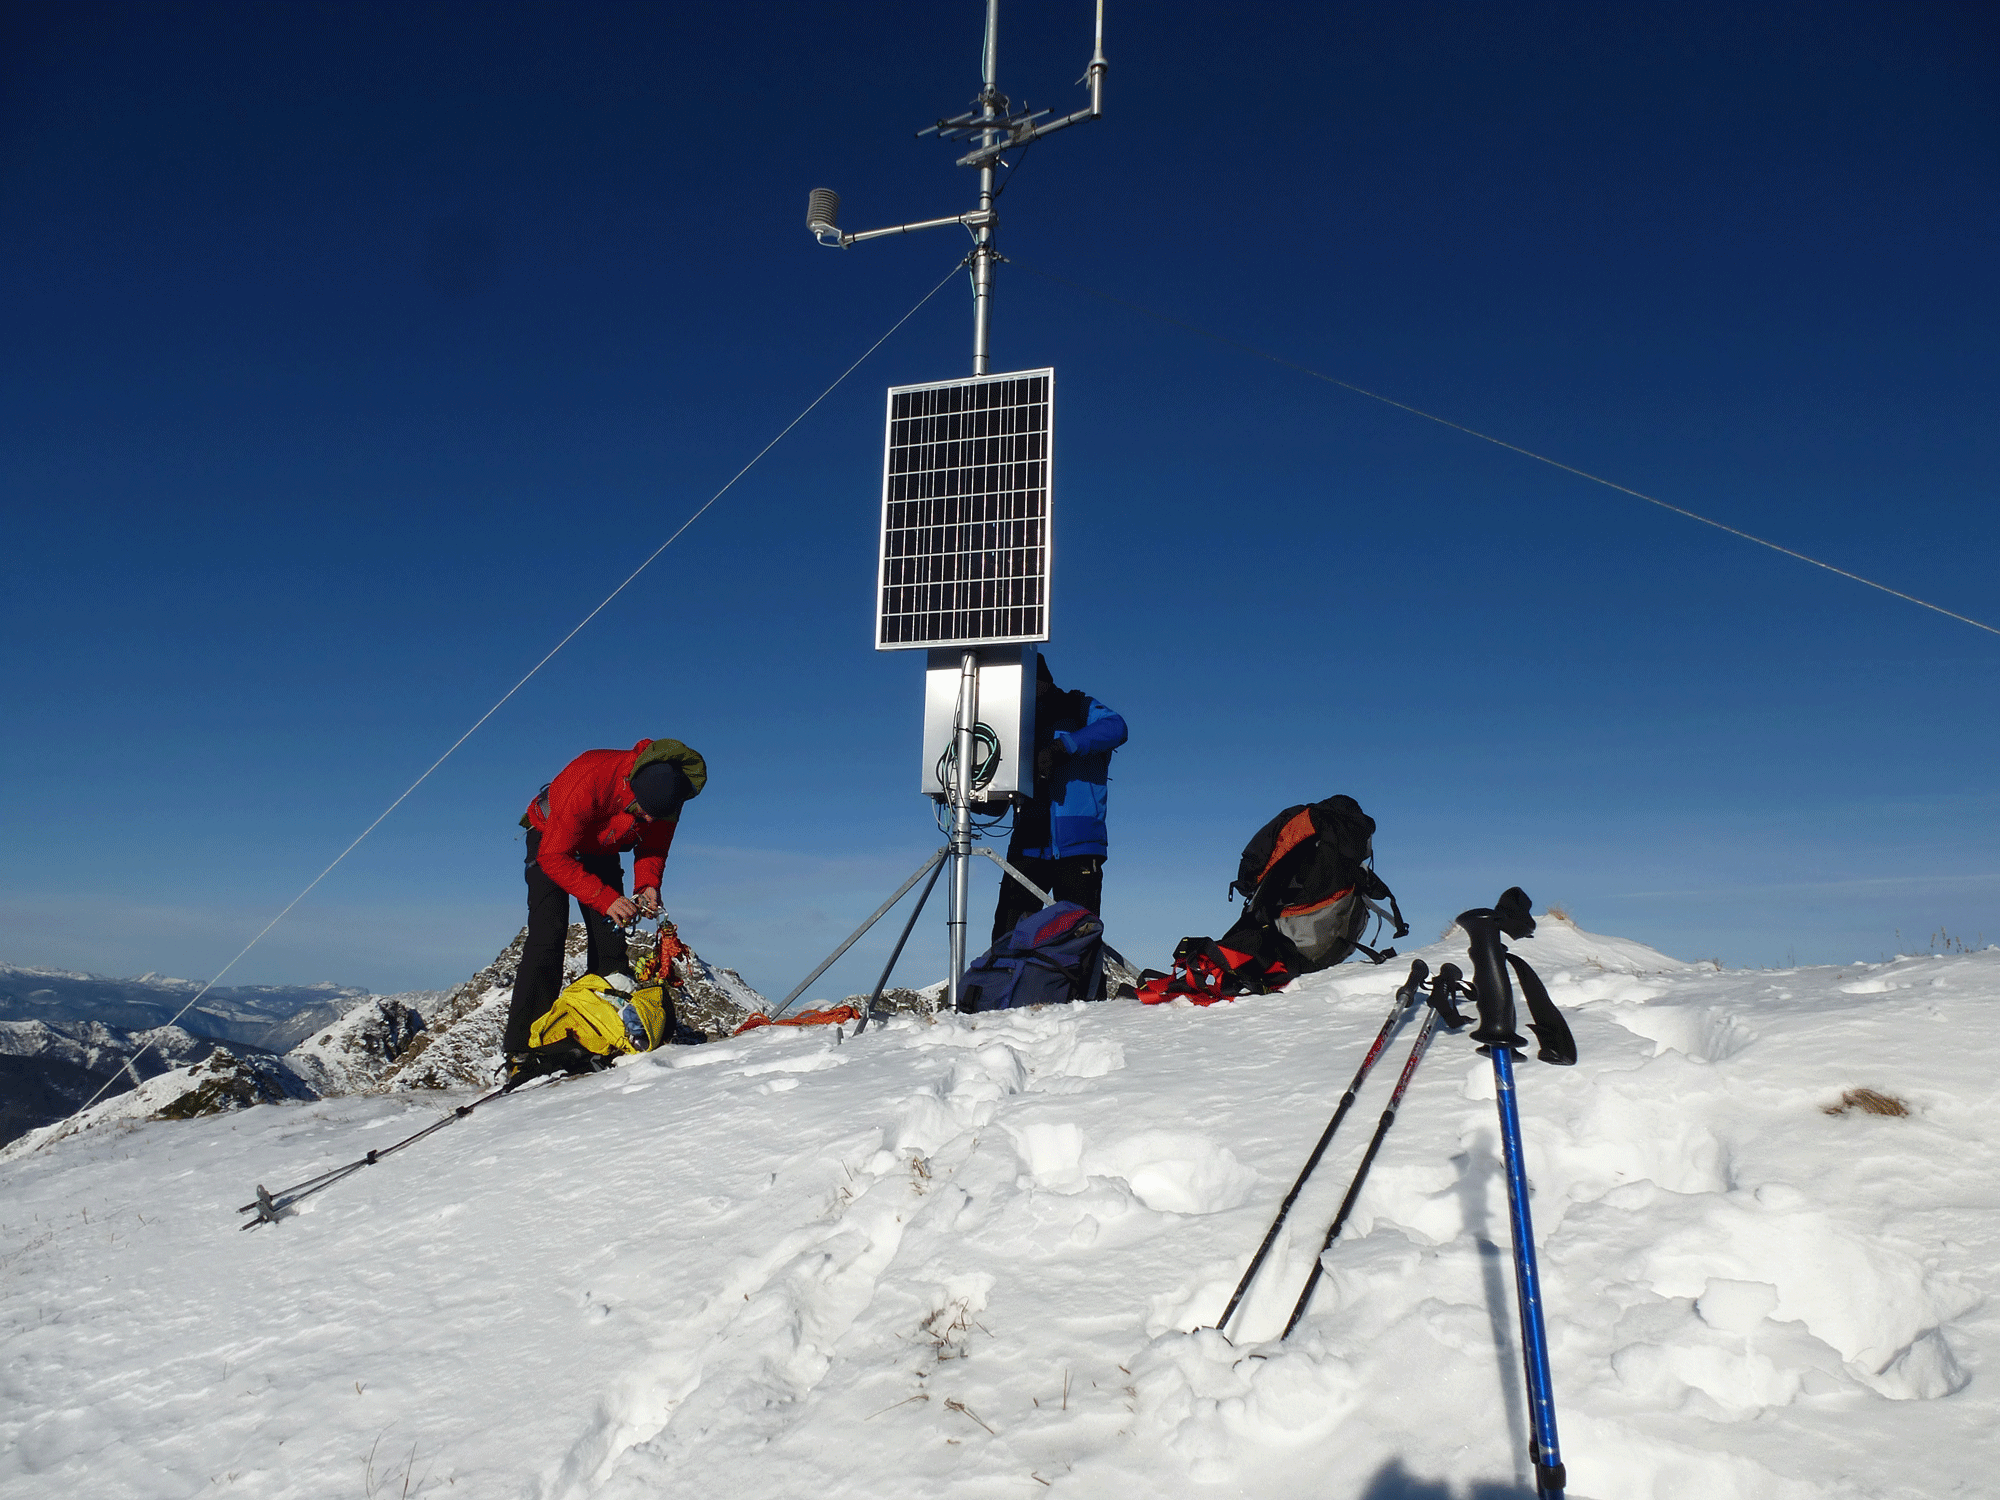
[[965, 513]]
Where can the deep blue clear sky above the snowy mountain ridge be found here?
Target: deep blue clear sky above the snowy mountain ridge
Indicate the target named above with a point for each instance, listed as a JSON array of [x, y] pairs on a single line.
[[351, 351]]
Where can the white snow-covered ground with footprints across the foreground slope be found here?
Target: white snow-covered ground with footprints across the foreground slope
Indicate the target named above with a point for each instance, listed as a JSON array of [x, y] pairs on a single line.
[[965, 1259]]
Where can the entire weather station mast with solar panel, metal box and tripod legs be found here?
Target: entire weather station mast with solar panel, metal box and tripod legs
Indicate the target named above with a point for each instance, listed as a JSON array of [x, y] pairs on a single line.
[[965, 557]]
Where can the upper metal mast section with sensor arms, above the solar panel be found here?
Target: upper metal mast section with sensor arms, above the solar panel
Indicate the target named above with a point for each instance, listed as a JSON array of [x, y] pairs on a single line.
[[999, 129]]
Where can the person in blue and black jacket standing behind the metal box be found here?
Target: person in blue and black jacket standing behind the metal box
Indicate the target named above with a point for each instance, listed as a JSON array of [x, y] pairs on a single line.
[[1059, 835]]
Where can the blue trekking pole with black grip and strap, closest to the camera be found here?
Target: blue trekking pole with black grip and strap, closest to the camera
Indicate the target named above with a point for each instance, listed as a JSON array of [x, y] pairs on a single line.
[[1499, 1041]]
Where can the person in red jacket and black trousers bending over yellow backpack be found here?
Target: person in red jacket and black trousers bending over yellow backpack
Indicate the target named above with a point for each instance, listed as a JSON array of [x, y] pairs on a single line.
[[603, 803]]
